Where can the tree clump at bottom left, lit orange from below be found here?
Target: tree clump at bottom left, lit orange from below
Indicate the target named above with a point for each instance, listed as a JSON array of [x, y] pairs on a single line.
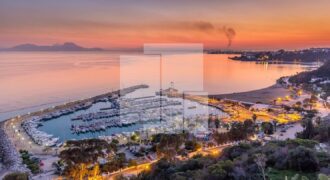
[[81, 159]]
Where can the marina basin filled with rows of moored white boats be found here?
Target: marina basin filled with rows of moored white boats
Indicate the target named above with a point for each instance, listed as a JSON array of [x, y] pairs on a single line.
[[111, 115]]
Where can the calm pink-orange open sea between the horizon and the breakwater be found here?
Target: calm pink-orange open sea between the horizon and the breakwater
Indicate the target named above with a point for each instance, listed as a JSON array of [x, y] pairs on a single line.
[[30, 81]]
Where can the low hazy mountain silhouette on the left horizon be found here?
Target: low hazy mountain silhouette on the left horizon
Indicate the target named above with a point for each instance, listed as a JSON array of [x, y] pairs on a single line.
[[68, 46]]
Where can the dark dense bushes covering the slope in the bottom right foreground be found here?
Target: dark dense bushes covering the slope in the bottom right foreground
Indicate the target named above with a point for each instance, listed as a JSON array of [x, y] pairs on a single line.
[[274, 160]]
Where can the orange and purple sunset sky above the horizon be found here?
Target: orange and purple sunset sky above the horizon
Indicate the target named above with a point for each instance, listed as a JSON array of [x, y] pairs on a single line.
[[258, 24]]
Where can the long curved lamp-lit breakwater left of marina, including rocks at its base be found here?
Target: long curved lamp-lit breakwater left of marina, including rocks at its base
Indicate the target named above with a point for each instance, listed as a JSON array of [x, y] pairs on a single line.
[[13, 137]]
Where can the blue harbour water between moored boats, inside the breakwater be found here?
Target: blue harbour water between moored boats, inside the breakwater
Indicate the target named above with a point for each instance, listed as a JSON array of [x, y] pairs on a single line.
[[60, 127]]
